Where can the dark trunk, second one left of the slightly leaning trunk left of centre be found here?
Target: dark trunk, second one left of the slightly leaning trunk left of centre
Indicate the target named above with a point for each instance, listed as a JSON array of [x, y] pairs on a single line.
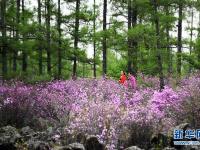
[[48, 37]]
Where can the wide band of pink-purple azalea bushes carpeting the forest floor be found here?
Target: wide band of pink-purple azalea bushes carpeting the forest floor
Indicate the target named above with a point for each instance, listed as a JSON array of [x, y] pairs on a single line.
[[118, 116]]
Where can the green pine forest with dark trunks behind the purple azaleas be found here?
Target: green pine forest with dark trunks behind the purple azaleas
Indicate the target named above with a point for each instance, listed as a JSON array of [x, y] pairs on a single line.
[[132, 35]]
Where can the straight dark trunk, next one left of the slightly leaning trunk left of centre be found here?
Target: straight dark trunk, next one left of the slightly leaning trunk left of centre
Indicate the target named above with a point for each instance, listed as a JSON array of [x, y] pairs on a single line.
[[59, 41]]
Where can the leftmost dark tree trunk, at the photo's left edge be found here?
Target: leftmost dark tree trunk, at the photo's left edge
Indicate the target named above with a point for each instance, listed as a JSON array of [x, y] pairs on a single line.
[[4, 52]]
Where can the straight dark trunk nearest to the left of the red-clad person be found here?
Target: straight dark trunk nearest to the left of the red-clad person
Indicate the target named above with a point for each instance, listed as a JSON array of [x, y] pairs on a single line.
[[104, 38]]
